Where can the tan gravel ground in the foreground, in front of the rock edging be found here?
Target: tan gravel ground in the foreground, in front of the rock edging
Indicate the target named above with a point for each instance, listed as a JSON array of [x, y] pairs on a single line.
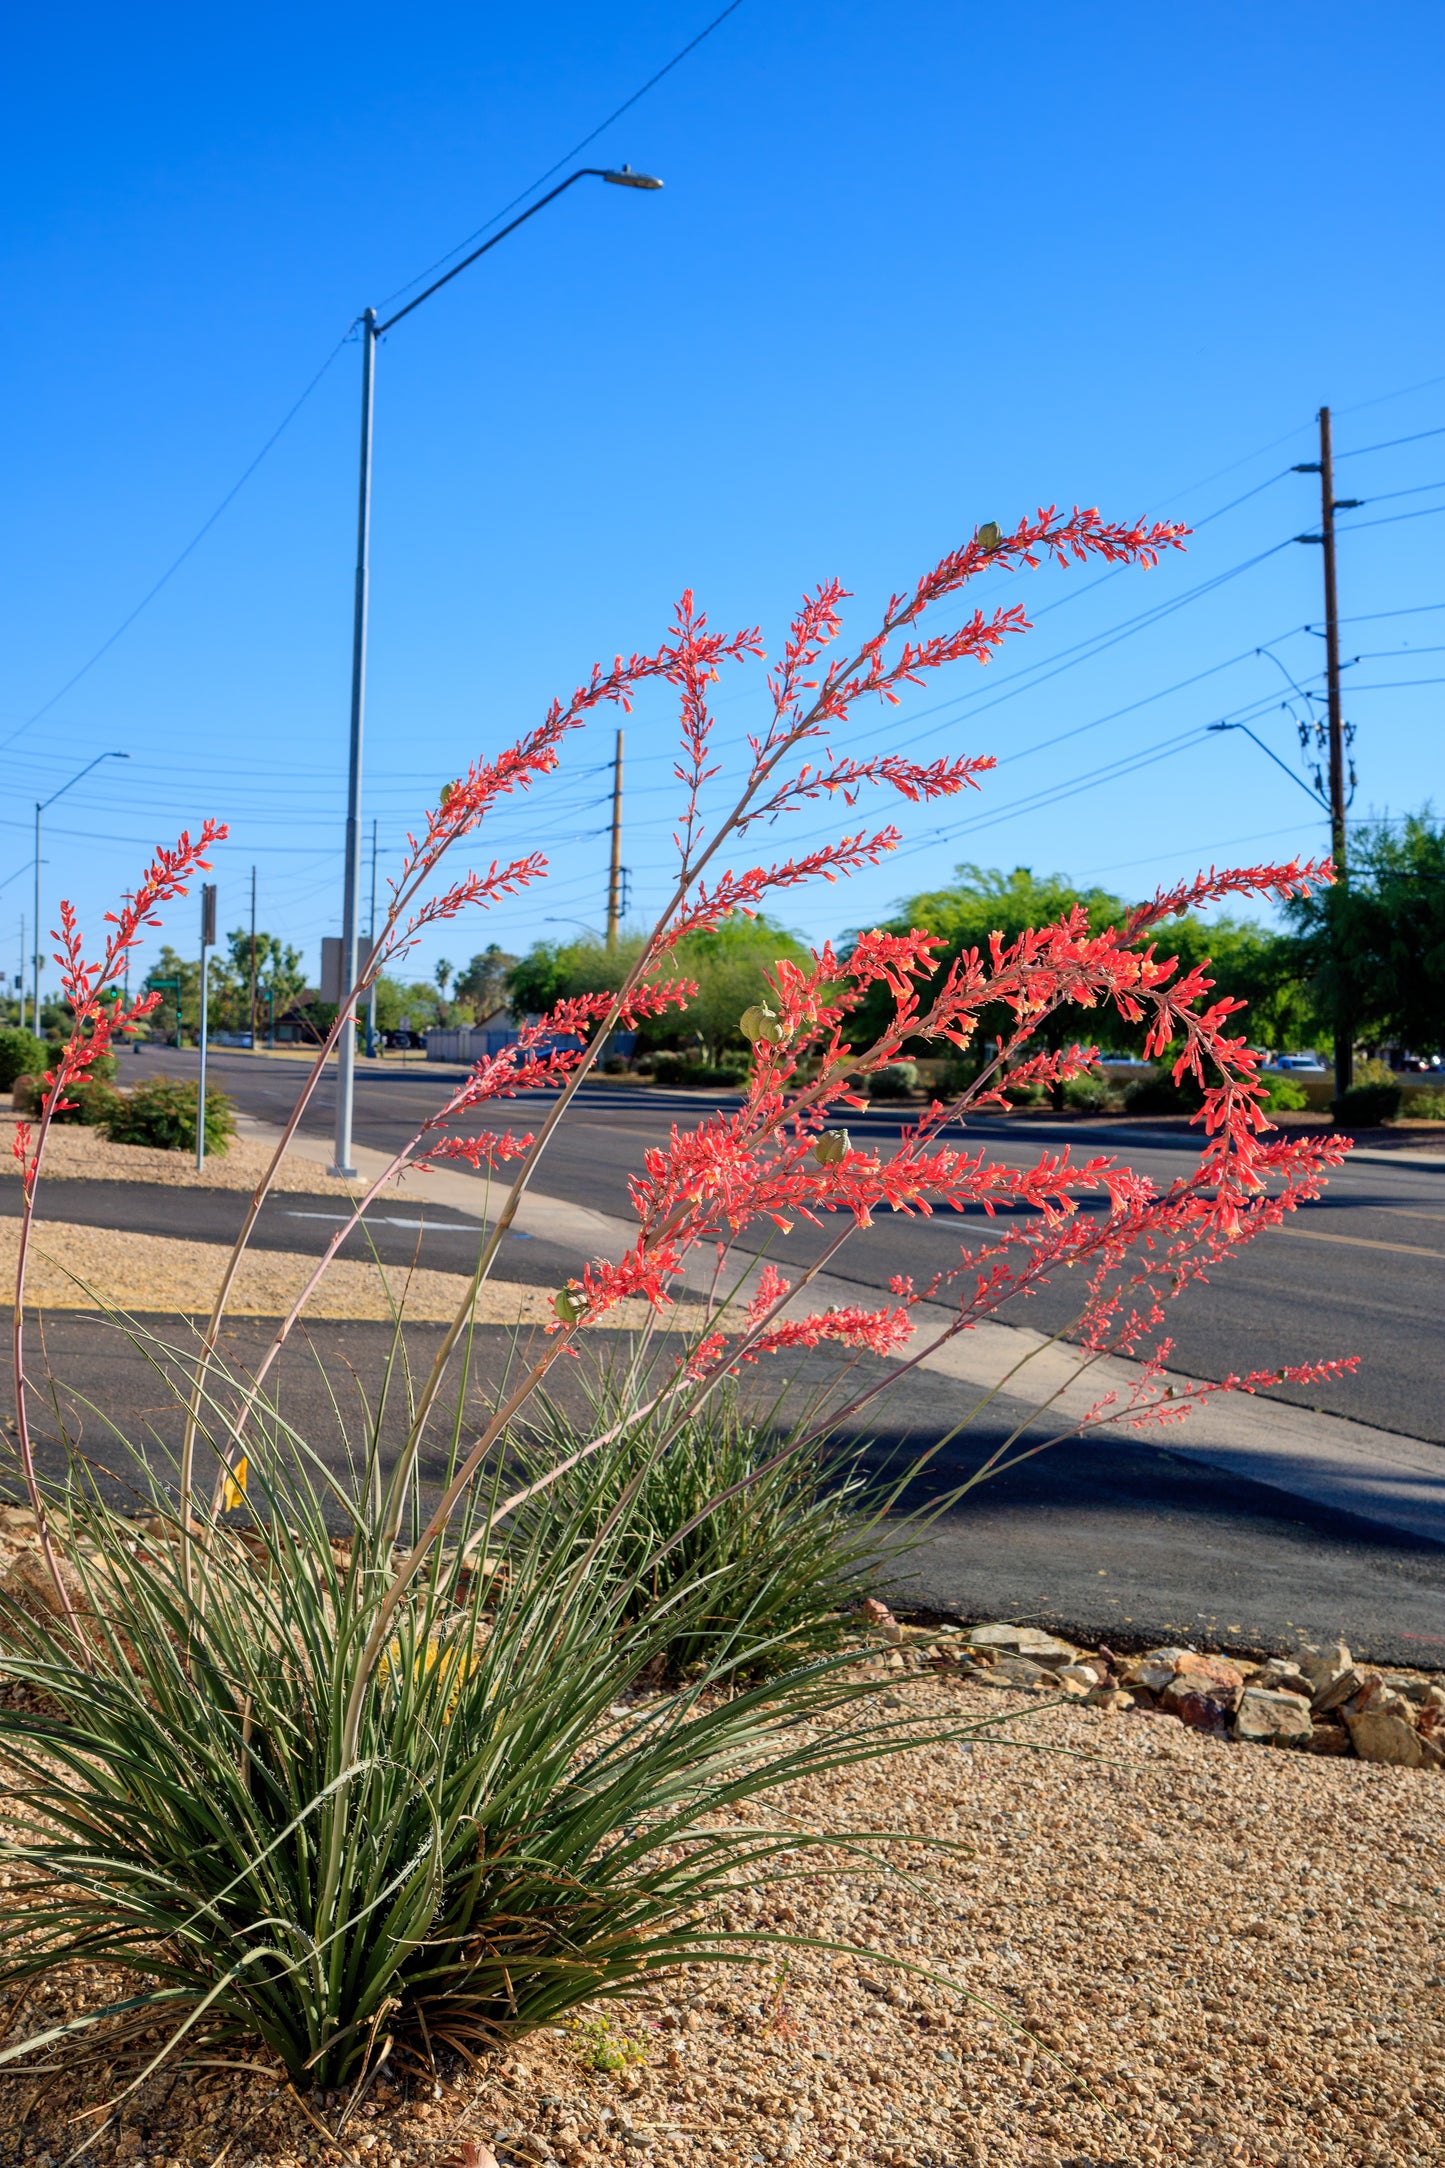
[[1175, 1950]]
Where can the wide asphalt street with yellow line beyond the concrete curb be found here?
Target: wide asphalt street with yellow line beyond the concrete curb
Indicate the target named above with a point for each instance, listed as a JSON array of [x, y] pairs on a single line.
[[1357, 1274]]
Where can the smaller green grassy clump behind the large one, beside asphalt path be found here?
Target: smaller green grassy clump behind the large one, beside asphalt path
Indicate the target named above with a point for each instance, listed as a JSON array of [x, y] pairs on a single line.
[[774, 1540]]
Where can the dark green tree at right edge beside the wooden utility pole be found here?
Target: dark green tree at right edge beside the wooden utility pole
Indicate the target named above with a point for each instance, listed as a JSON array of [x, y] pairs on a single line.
[[1377, 946]]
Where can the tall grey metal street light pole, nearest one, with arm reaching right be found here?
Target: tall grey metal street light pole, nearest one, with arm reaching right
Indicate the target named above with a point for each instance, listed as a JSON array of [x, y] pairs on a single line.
[[352, 886]]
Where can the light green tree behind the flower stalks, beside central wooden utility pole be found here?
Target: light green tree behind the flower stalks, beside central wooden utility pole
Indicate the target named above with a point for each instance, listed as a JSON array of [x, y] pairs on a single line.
[[729, 968]]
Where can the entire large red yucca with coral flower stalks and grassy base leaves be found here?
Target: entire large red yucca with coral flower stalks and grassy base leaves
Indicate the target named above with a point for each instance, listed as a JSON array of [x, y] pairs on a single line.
[[339, 1801]]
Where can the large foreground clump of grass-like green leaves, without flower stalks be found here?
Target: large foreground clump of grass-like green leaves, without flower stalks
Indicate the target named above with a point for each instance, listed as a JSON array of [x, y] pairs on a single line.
[[497, 1846]]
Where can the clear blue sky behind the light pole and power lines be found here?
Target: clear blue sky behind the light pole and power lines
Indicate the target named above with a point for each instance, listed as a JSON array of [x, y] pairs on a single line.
[[911, 270]]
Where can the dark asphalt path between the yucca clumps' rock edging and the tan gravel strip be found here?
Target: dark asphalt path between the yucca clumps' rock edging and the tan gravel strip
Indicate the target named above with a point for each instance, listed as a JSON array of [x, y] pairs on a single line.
[[1115, 1540]]
